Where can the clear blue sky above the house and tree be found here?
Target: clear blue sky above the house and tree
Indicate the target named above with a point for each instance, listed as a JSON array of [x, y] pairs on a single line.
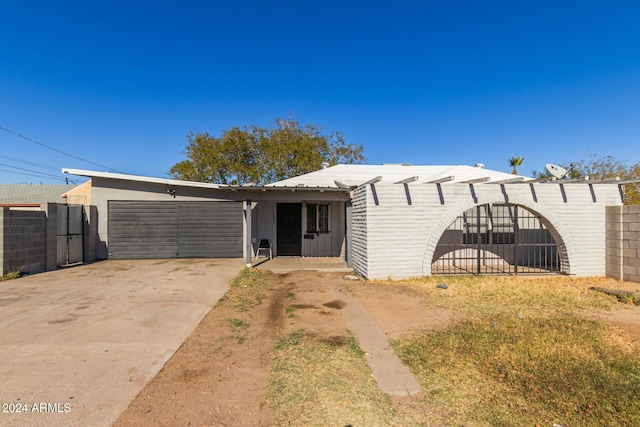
[[121, 83]]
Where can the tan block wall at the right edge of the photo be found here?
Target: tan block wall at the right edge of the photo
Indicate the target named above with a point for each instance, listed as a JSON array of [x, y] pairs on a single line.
[[623, 242]]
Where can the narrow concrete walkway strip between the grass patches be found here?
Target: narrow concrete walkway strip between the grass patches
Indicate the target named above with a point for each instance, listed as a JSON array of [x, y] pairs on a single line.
[[391, 375]]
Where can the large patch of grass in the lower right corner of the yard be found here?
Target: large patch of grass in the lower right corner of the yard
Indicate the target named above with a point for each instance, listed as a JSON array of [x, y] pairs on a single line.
[[505, 370]]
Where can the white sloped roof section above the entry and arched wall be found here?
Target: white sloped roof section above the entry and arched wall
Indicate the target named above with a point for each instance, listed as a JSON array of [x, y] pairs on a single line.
[[354, 175]]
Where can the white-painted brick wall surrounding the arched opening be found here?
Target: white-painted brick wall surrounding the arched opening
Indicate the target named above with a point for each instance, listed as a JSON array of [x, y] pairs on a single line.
[[403, 223]]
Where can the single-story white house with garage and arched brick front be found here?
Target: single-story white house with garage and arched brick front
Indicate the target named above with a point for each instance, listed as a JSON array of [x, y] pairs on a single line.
[[393, 221]]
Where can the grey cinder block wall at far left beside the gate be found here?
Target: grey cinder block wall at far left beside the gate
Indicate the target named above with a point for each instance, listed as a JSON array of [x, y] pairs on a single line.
[[23, 238]]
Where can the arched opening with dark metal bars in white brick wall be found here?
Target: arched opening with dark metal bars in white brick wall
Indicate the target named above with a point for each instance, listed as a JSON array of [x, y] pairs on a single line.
[[496, 239]]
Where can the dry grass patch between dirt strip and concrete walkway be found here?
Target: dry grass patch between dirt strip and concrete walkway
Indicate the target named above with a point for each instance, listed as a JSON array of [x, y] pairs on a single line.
[[321, 381]]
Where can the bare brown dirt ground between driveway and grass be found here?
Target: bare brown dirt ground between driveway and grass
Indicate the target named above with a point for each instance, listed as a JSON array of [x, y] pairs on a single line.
[[219, 376]]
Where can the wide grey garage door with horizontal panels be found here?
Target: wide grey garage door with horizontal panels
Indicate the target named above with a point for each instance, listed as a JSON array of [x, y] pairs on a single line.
[[175, 229]]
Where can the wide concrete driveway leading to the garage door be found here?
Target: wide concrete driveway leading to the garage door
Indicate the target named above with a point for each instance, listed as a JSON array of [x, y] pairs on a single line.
[[77, 345]]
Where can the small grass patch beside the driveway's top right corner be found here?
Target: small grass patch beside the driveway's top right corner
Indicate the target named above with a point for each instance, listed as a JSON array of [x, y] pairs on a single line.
[[246, 290]]
